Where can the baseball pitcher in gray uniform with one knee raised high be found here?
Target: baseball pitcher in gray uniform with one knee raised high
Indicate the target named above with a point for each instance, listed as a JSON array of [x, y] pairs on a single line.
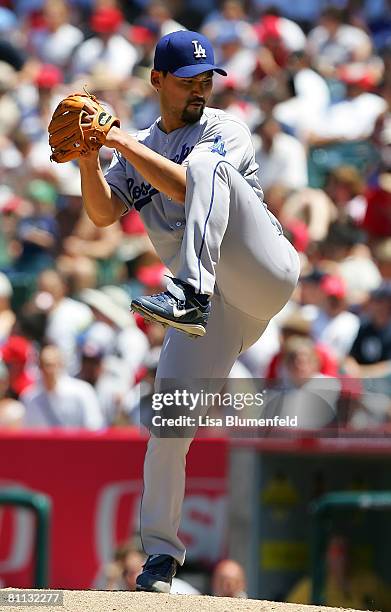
[[193, 178]]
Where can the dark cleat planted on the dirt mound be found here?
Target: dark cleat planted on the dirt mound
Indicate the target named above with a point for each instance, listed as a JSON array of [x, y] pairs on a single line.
[[157, 575]]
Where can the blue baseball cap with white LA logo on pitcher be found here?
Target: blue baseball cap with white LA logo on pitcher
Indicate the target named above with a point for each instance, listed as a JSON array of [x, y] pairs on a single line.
[[185, 54]]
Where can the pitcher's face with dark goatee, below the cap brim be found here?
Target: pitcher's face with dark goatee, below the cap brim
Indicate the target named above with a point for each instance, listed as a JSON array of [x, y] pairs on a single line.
[[185, 98]]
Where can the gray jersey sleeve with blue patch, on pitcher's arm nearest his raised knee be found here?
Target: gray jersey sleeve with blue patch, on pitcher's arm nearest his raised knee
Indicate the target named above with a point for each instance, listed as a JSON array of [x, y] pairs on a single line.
[[229, 138]]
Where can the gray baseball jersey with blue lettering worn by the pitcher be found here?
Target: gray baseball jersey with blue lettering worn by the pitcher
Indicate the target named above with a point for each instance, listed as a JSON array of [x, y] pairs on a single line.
[[164, 219]]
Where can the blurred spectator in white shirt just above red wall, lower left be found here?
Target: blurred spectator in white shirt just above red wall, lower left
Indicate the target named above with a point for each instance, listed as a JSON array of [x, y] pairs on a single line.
[[58, 400]]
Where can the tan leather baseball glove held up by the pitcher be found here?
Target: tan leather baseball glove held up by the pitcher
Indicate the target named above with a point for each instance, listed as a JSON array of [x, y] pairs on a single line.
[[79, 125]]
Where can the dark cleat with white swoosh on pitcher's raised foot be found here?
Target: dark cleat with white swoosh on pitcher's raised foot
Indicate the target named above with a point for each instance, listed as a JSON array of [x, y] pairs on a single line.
[[180, 307]]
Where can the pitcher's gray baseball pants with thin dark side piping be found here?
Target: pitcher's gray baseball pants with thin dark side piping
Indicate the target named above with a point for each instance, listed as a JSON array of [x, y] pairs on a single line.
[[232, 249]]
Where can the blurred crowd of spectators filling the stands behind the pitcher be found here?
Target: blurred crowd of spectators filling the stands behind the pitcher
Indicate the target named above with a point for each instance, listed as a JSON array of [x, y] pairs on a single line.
[[312, 81]]
